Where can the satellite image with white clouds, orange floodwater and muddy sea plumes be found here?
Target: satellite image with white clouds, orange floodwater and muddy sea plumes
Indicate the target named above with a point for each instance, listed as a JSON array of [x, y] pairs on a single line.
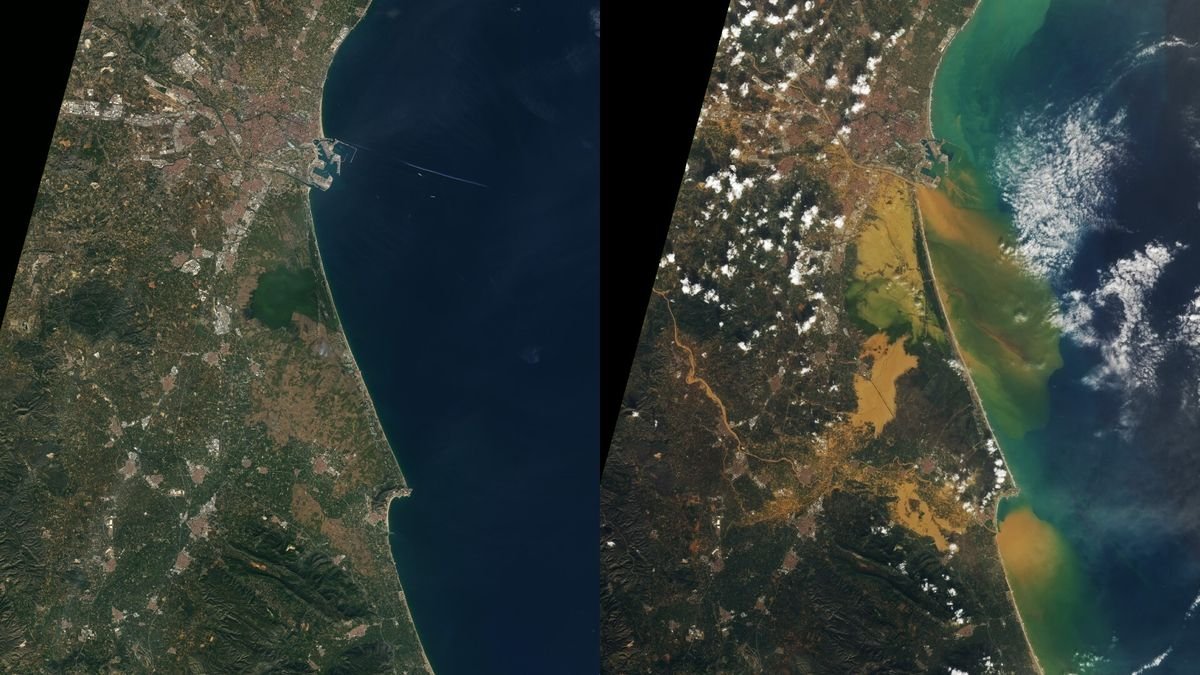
[[916, 390]]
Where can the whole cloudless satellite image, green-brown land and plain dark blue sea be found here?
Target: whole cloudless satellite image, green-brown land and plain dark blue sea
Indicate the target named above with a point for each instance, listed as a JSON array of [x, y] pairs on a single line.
[[197, 476]]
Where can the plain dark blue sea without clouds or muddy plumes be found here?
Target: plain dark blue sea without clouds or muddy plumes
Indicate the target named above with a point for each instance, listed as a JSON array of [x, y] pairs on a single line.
[[463, 249]]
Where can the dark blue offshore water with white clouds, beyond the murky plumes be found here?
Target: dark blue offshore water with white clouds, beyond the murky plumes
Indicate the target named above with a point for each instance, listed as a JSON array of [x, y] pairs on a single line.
[[1100, 165]]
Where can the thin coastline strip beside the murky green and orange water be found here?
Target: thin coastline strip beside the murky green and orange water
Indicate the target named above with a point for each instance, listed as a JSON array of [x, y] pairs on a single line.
[[958, 353]]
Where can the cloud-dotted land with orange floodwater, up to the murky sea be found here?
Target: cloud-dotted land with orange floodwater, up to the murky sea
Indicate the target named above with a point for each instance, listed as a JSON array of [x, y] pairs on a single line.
[[800, 481]]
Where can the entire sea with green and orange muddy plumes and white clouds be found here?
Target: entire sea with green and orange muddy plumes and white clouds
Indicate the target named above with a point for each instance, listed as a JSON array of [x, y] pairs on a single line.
[[1067, 242]]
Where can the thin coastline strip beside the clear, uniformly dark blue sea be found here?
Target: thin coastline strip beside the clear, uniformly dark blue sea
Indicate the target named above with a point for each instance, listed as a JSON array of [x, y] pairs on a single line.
[[351, 362]]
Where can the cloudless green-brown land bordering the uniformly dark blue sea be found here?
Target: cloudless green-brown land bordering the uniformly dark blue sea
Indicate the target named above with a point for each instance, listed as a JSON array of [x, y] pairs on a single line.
[[191, 482]]
